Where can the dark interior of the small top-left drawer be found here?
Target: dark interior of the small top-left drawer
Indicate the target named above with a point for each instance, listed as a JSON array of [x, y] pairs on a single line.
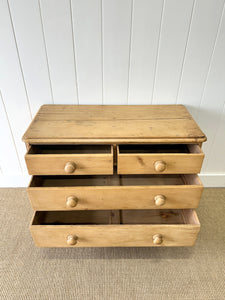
[[70, 149]]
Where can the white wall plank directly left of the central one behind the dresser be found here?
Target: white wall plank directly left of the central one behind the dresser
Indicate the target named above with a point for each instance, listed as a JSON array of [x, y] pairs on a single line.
[[87, 40]]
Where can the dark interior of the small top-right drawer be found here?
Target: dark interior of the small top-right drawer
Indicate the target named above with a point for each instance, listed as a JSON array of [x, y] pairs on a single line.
[[159, 148]]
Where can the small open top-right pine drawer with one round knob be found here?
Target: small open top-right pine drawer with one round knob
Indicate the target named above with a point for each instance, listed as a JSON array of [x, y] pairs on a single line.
[[158, 159]]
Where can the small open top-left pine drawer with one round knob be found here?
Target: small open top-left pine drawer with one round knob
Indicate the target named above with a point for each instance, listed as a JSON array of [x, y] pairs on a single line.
[[69, 159]]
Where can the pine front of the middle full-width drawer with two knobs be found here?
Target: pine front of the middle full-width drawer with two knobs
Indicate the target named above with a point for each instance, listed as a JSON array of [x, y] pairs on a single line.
[[117, 197]]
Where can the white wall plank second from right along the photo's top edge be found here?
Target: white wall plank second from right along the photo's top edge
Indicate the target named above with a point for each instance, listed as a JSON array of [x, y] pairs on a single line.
[[173, 38]]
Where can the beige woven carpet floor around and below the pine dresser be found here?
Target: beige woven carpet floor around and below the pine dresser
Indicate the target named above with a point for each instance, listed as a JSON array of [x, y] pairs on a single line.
[[27, 272]]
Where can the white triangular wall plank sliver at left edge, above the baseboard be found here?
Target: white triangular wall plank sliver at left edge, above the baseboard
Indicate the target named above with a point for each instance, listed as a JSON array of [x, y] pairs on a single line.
[[8, 156]]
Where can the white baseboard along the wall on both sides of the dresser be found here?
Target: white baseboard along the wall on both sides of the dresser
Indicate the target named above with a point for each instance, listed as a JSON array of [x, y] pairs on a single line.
[[208, 180]]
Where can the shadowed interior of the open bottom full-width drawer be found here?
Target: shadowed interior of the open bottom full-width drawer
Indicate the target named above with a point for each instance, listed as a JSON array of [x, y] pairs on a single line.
[[95, 217]]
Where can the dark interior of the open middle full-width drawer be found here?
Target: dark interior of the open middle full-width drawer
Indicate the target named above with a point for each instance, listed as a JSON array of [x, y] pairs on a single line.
[[115, 180]]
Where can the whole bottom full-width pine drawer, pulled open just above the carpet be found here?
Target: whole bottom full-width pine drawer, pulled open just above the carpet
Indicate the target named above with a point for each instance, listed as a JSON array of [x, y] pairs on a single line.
[[116, 228]]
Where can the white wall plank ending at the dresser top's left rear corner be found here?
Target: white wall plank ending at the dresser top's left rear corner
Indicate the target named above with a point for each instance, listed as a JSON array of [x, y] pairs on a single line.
[[29, 37]]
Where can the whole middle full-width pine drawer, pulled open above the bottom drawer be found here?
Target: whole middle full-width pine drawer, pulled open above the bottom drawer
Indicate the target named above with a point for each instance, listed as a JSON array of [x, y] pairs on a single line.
[[115, 192]]
